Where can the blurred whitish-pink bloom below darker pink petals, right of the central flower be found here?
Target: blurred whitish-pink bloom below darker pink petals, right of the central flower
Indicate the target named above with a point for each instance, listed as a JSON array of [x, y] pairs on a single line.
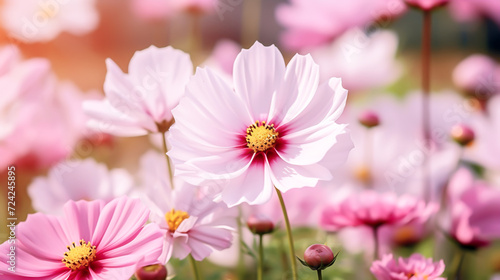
[[363, 61]]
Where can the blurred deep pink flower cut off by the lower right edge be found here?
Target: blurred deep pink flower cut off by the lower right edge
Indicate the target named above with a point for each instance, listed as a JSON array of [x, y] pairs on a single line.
[[474, 208]]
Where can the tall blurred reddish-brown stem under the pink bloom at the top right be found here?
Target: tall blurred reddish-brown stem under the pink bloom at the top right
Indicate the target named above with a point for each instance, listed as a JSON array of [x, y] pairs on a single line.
[[426, 70]]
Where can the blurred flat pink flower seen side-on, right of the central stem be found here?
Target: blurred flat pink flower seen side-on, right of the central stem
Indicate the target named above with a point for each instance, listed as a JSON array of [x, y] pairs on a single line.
[[373, 209]]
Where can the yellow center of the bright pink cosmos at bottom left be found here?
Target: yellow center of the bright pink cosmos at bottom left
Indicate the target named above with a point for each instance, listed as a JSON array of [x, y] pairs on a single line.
[[80, 256]]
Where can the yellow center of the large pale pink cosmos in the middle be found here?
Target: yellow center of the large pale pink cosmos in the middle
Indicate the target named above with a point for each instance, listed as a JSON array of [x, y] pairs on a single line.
[[261, 136]]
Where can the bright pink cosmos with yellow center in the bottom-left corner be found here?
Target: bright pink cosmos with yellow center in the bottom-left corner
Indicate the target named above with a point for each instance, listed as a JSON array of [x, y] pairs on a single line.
[[93, 240]]
